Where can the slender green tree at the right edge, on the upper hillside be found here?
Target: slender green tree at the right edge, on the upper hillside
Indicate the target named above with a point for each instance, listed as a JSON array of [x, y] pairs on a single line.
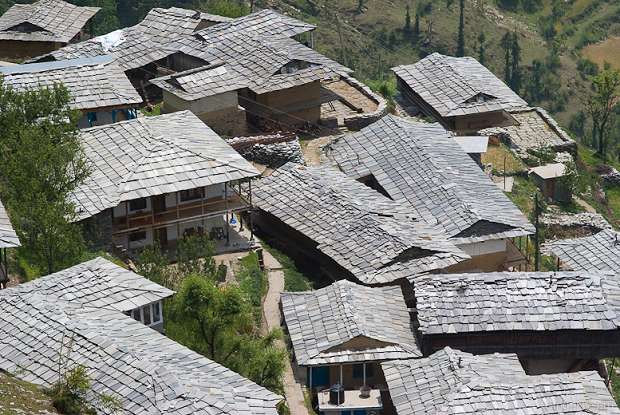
[[600, 106]]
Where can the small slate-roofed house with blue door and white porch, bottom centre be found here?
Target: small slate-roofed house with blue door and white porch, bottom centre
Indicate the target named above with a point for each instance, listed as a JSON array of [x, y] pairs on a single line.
[[340, 335]]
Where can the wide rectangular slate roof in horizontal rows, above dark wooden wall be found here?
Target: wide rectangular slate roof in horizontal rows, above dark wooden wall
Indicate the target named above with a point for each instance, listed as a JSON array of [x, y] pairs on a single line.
[[464, 303]]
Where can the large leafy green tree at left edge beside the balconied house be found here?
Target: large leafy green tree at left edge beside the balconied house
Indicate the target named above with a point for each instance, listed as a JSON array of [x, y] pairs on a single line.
[[41, 164]]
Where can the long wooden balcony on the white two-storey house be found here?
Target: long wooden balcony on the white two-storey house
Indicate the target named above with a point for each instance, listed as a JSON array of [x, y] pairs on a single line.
[[180, 213]]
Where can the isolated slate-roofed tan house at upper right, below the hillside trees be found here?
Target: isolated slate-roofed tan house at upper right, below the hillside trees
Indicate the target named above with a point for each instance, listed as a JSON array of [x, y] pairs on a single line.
[[460, 93]]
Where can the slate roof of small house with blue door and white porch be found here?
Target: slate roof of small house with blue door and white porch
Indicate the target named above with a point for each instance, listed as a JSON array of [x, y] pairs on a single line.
[[321, 323]]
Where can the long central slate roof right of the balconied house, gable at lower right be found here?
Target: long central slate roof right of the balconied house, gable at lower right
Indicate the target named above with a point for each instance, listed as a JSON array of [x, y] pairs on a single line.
[[366, 233]]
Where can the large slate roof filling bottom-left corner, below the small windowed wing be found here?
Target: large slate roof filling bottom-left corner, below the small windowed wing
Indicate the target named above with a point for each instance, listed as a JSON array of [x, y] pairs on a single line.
[[147, 372]]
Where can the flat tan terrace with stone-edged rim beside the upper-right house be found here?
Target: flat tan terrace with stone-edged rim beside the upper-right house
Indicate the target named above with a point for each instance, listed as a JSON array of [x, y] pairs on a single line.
[[535, 128]]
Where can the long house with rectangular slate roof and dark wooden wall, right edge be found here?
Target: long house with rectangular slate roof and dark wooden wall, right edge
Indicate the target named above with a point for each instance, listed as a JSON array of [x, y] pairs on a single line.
[[554, 321]]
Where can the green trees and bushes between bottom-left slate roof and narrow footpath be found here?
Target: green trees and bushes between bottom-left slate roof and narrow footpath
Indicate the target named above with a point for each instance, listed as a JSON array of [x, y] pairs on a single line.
[[220, 321]]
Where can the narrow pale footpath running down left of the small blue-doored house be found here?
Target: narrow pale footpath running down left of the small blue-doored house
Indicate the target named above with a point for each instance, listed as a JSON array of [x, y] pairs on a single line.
[[271, 309]]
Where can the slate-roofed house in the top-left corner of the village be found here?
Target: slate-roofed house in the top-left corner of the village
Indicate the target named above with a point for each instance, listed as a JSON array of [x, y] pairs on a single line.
[[28, 30]]
